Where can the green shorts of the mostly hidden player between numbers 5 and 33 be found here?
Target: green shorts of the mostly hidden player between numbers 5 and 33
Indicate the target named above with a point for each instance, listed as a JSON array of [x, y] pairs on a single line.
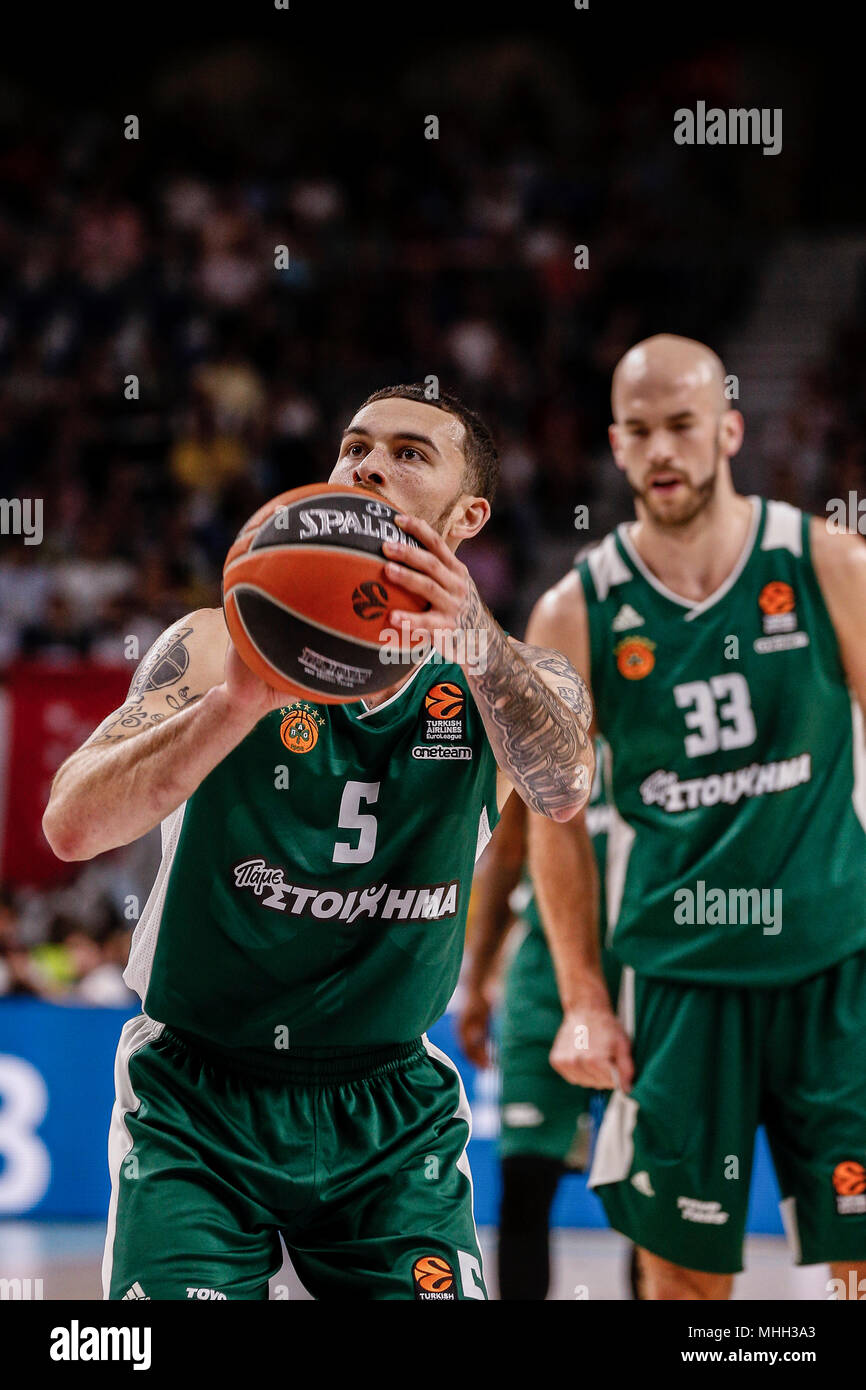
[[541, 1114]]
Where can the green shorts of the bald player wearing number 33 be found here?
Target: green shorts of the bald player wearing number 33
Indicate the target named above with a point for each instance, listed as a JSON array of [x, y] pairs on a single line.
[[673, 1160]]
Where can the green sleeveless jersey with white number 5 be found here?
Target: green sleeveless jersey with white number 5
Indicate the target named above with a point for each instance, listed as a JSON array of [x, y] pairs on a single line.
[[313, 889]]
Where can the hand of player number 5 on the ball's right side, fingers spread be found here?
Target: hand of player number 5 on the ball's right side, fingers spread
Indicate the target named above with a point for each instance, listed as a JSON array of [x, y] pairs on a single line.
[[436, 575]]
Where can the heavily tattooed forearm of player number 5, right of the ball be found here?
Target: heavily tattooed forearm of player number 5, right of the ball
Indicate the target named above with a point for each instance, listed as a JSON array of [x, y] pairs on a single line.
[[540, 735]]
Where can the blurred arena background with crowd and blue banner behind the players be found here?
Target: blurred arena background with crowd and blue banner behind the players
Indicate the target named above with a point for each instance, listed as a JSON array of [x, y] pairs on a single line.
[[155, 259]]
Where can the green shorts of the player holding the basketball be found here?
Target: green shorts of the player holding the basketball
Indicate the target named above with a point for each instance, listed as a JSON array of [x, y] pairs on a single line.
[[358, 1160]]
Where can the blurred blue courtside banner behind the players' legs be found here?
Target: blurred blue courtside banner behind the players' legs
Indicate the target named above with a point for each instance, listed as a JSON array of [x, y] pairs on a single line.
[[58, 1090]]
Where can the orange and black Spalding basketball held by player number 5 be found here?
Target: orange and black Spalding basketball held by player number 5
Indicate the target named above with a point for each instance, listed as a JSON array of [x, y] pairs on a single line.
[[305, 594]]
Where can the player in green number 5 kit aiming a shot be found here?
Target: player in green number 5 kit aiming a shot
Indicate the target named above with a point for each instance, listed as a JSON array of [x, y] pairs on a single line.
[[307, 924]]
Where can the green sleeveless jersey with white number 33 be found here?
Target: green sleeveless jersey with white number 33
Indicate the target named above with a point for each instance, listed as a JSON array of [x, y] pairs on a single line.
[[737, 847]]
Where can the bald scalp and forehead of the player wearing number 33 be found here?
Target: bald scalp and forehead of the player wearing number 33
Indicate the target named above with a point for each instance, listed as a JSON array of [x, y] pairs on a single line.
[[669, 365]]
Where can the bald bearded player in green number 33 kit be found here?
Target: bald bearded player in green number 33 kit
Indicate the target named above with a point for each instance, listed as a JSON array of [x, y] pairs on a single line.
[[724, 639]]
